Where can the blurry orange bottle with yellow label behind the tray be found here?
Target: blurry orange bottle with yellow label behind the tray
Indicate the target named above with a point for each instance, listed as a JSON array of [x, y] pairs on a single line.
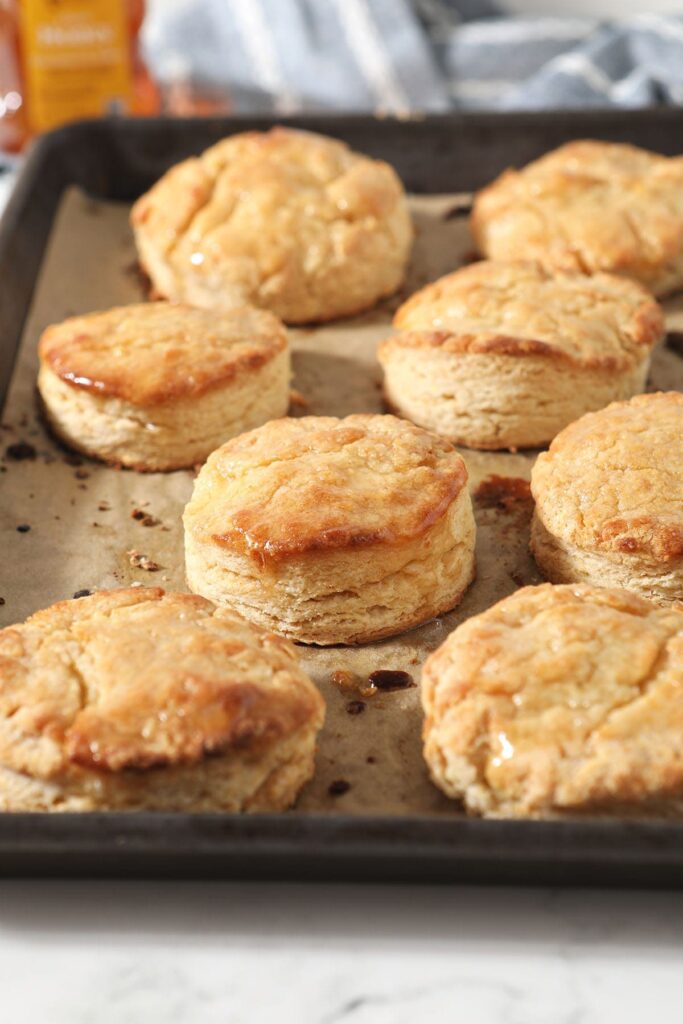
[[79, 59]]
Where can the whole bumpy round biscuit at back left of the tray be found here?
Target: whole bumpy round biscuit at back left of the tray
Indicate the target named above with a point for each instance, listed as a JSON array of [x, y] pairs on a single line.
[[288, 221]]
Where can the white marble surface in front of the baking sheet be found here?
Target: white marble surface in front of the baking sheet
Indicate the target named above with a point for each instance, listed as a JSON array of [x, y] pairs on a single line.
[[192, 954]]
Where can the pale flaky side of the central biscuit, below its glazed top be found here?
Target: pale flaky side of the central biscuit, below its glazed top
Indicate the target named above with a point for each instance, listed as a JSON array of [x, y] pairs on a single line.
[[345, 596]]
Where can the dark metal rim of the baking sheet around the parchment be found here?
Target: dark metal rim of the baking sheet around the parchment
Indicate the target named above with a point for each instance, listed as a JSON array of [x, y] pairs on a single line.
[[451, 154]]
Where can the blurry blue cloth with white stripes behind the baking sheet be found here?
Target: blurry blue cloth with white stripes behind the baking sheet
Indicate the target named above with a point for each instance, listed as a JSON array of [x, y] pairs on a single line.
[[400, 57]]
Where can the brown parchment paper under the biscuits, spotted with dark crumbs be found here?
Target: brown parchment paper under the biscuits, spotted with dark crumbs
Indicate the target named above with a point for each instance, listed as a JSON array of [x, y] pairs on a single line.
[[81, 530]]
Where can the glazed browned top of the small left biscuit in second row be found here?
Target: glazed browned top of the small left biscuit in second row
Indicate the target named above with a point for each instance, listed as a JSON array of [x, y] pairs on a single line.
[[155, 353]]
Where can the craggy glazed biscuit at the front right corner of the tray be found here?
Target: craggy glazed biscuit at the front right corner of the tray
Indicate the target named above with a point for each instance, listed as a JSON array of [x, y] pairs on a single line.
[[559, 700]]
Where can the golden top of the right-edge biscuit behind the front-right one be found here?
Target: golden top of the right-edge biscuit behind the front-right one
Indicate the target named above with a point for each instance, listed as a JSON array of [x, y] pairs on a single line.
[[613, 481]]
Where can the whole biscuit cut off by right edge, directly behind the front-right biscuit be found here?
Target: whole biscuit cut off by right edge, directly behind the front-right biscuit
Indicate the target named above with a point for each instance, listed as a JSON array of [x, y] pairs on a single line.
[[610, 499]]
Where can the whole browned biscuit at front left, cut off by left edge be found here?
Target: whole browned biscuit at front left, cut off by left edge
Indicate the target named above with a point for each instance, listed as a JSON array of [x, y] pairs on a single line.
[[137, 700]]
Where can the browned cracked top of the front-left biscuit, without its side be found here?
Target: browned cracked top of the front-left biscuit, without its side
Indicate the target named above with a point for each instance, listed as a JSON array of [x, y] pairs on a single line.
[[137, 679]]
